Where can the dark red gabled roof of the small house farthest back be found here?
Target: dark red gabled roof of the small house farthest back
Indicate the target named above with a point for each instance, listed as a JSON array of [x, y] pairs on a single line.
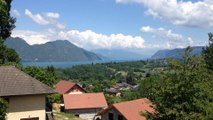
[[64, 87]]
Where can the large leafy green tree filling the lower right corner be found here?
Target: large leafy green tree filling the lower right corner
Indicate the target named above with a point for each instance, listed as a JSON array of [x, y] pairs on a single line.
[[184, 92]]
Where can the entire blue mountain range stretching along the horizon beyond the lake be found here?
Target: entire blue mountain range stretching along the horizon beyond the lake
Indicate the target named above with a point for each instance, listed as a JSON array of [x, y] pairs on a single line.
[[65, 51]]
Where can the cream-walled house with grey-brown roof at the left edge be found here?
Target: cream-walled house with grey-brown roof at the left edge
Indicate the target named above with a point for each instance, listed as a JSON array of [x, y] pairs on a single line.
[[26, 96]]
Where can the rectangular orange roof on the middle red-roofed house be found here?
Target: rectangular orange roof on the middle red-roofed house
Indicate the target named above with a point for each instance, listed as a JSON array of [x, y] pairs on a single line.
[[83, 101]]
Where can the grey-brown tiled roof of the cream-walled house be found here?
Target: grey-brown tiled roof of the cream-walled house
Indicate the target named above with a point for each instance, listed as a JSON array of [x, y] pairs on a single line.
[[15, 82]]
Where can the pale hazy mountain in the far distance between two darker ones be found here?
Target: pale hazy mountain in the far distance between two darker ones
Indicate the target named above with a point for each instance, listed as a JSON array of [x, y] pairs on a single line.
[[119, 54]]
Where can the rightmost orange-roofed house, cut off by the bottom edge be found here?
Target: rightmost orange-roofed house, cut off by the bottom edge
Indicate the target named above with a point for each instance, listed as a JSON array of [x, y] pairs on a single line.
[[130, 110]]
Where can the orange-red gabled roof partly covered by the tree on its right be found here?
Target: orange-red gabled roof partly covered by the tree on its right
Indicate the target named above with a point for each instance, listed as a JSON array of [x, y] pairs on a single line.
[[131, 110]]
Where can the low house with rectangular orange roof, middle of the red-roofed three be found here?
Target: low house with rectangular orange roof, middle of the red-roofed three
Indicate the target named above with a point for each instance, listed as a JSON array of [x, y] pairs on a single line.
[[86, 105]]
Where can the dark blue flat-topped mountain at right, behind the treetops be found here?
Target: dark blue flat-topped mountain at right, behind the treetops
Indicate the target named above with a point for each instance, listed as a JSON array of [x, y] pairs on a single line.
[[175, 53]]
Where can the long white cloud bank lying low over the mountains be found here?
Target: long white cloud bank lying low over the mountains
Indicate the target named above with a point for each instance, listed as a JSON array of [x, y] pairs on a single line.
[[91, 40]]
